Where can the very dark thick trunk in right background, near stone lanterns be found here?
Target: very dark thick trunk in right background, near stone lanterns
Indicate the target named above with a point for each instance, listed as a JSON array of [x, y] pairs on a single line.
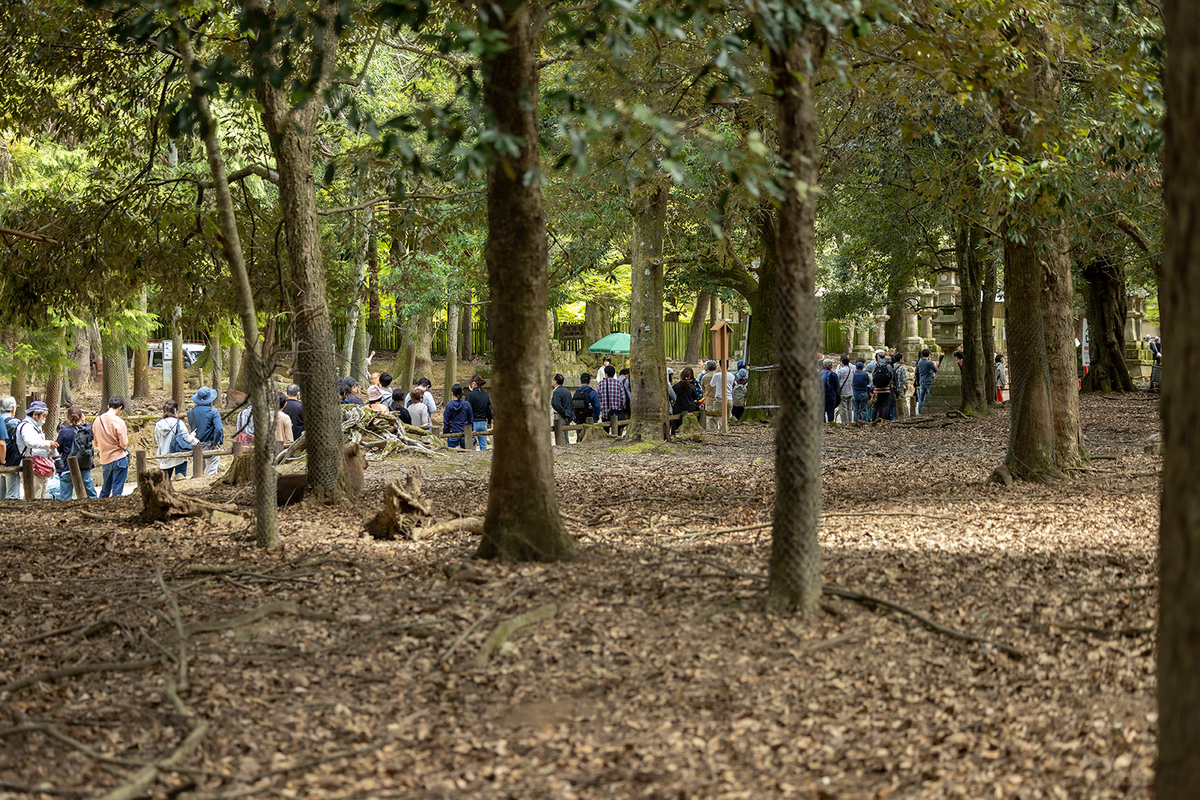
[[1105, 298]]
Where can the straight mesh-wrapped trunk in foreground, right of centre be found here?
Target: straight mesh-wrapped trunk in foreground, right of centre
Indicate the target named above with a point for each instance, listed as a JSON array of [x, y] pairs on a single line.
[[795, 575]]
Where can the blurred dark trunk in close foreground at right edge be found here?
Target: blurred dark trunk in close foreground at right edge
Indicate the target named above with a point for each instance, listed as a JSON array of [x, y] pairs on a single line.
[[1179, 625]]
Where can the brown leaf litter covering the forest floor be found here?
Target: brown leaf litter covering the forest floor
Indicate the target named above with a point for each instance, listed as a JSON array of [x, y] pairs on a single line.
[[657, 676]]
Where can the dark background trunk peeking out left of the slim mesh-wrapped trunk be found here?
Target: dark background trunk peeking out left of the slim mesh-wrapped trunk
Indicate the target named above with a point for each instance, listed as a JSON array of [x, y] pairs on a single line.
[[764, 387]]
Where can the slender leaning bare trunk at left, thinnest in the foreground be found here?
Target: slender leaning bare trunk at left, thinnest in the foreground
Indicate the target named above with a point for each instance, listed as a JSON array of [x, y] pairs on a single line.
[[267, 530]]
